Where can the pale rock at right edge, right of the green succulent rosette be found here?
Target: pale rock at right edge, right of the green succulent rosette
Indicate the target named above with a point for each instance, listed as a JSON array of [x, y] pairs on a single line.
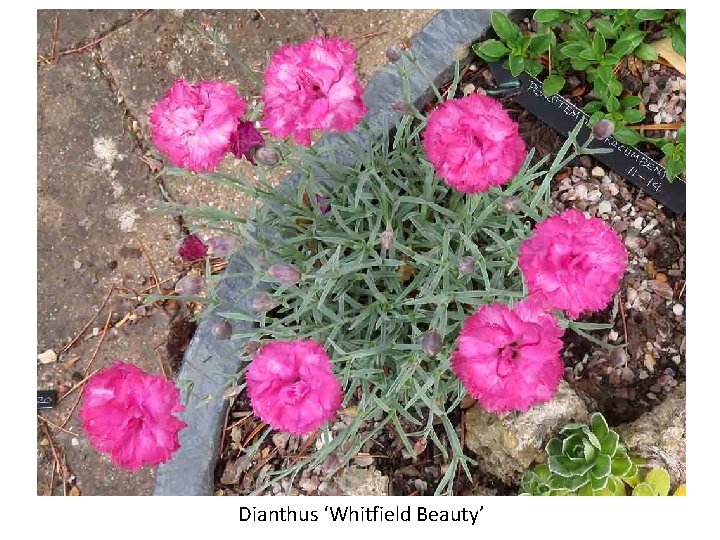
[[659, 435]]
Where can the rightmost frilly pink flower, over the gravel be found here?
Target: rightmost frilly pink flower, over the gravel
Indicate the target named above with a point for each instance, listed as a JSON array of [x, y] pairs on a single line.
[[573, 263]]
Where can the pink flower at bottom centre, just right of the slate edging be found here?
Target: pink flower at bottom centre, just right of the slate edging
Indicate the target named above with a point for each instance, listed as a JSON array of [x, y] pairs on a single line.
[[292, 387]]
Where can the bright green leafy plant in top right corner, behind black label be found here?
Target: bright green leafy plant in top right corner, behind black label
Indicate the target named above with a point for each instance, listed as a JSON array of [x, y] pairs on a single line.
[[593, 43]]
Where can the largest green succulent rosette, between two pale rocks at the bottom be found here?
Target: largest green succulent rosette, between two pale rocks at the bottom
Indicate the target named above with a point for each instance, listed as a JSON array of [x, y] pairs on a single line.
[[588, 459]]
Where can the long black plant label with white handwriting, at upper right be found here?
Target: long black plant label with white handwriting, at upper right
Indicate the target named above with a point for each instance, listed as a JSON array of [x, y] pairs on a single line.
[[635, 166]]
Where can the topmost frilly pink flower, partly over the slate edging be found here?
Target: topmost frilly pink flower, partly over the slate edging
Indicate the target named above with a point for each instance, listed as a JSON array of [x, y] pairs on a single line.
[[312, 86]]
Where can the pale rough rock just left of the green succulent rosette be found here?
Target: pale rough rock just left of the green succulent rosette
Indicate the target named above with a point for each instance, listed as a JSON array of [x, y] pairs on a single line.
[[508, 445]]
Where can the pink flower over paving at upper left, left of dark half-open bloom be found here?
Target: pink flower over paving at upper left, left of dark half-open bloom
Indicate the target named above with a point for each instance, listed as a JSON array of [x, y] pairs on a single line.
[[194, 124]]
